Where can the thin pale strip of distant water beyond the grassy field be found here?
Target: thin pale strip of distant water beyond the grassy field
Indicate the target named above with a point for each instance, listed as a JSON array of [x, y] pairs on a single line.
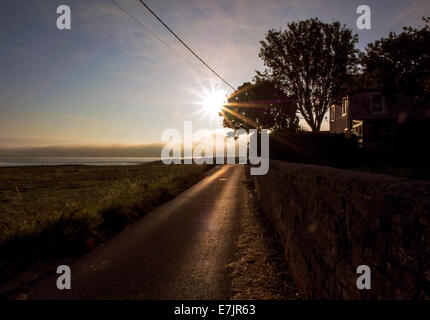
[[90, 161]]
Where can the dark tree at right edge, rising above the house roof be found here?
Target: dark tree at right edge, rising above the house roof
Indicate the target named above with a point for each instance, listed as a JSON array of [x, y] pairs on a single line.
[[400, 62]]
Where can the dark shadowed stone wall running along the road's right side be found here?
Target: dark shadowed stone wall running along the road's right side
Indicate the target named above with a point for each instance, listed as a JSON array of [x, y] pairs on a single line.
[[331, 221]]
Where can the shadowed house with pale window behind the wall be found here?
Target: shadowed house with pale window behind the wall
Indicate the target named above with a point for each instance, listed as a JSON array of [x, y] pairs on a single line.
[[374, 118]]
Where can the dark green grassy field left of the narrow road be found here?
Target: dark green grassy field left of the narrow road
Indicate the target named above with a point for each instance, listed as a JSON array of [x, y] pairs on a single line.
[[54, 211]]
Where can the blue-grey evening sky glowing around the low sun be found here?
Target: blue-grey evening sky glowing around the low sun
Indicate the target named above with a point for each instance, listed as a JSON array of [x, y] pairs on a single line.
[[109, 81]]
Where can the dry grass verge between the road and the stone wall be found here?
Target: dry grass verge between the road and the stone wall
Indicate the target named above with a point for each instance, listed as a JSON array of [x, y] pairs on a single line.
[[260, 271]]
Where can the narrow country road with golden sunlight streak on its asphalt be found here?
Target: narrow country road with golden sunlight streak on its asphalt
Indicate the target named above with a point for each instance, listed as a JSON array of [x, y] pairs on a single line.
[[178, 251]]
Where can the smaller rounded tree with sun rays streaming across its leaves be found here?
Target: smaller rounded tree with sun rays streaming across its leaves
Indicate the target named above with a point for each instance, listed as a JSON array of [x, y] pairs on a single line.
[[260, 105]]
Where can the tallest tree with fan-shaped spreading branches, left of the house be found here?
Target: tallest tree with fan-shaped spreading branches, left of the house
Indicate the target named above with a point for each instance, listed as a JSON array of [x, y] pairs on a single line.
[[311, 61]]
